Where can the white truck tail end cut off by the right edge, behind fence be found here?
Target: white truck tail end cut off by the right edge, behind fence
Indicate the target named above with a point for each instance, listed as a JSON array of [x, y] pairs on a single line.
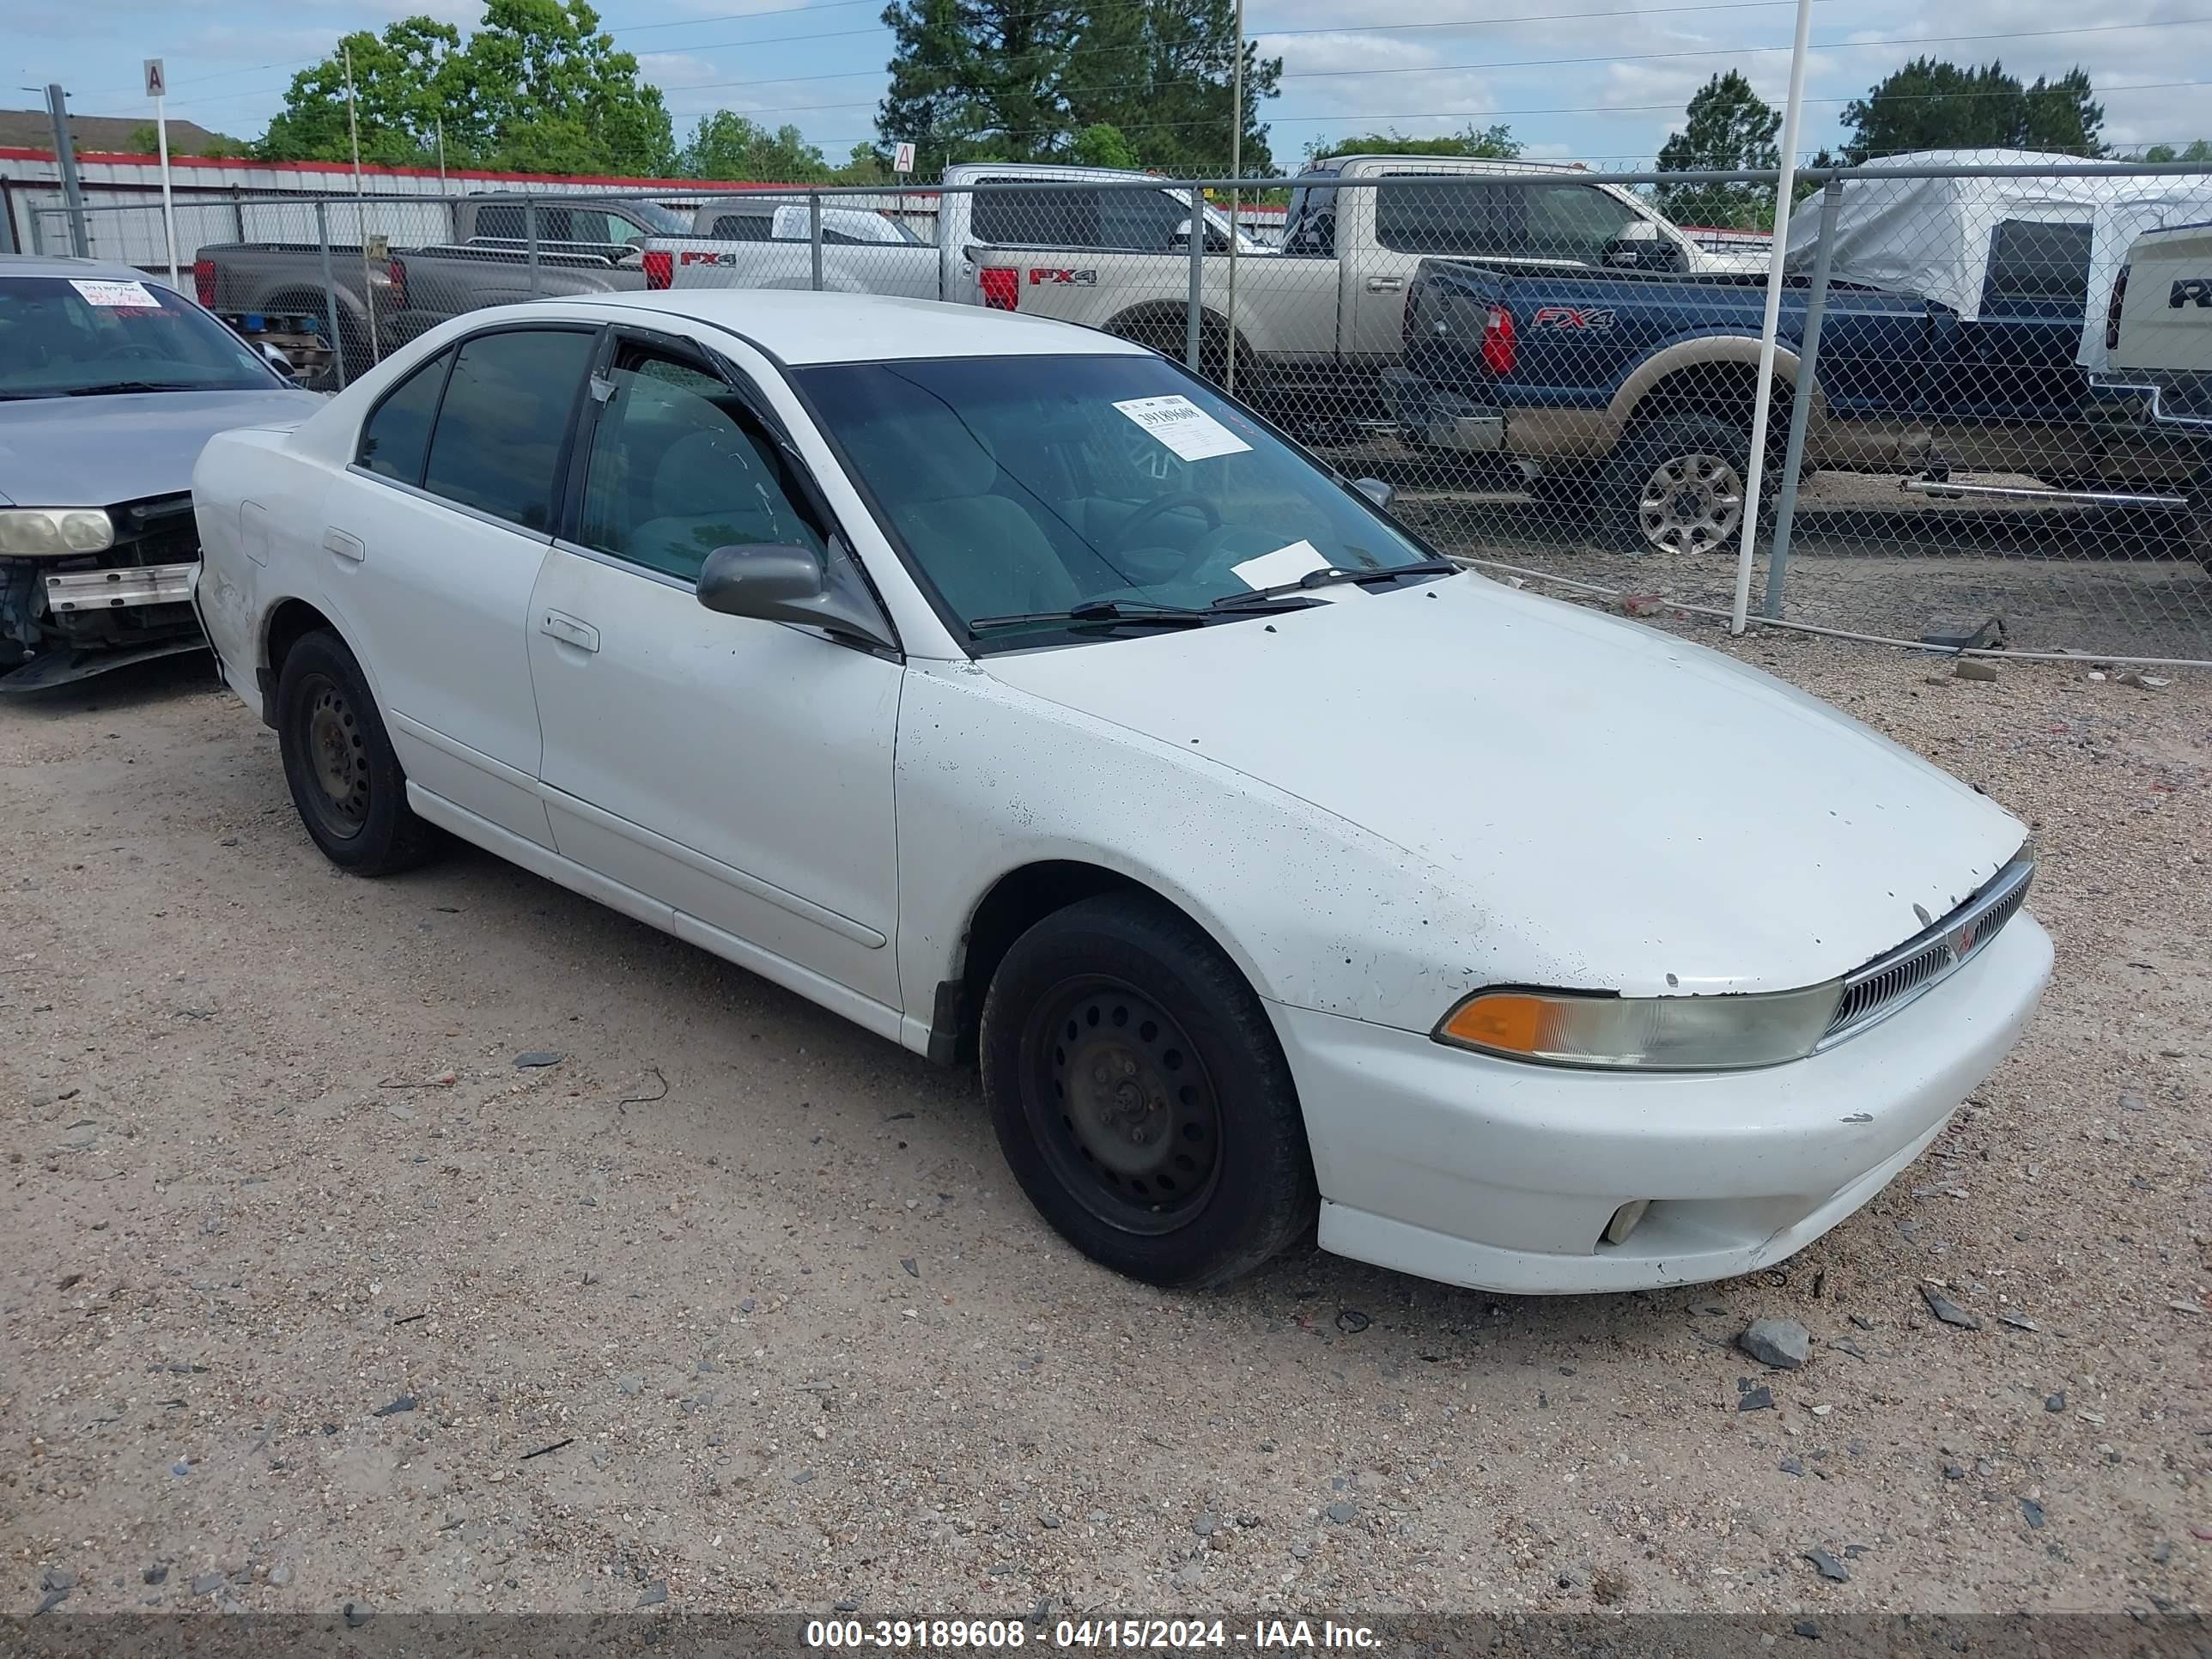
[[2158, 344]]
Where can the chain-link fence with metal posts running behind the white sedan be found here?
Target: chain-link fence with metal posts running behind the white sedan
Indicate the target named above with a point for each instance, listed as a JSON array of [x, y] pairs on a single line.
[[1979, 432]]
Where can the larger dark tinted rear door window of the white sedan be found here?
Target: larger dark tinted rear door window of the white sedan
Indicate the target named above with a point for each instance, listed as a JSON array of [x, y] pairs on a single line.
[[503, 424]]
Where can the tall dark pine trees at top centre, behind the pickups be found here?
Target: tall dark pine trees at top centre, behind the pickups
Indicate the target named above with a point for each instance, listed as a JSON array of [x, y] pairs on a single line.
[[1012, 81]]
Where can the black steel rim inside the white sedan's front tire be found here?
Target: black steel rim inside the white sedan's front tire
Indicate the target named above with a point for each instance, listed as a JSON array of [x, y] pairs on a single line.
[[1123, 1105]]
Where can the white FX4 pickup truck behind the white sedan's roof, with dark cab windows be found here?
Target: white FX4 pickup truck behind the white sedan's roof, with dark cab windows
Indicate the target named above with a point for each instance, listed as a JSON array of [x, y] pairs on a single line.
[[766, 242]]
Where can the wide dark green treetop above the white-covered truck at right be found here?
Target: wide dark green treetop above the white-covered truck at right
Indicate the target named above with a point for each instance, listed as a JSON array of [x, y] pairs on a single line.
[[1941, 107]]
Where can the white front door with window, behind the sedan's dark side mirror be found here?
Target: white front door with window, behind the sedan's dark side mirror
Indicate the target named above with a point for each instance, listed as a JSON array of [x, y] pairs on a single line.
[[735, 771]]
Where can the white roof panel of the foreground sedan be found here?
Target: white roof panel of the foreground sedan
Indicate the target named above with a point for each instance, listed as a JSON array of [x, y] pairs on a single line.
[[804, 328]]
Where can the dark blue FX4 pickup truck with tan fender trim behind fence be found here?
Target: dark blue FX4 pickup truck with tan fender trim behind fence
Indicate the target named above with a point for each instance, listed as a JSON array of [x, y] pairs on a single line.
[[1634, 390]]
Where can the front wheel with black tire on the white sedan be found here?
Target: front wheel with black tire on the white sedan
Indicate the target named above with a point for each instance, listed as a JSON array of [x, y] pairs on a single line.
[[1180, 1158]]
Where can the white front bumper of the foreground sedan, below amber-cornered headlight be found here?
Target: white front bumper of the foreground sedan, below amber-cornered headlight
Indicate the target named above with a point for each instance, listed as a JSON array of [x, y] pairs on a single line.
[[1501, 1176]]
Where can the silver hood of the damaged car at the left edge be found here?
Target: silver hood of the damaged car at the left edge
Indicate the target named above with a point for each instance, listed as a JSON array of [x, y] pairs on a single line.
[[96, 452]]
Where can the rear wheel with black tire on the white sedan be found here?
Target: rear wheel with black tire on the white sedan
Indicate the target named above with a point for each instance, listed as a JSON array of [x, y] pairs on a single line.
[[340, 764]]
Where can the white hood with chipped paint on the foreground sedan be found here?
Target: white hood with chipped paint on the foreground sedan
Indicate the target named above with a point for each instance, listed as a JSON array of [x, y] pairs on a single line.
[[1629, 811]]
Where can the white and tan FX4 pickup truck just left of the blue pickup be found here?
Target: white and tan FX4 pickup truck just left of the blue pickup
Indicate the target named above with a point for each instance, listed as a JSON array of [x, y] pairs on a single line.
[[1326, 311]]
